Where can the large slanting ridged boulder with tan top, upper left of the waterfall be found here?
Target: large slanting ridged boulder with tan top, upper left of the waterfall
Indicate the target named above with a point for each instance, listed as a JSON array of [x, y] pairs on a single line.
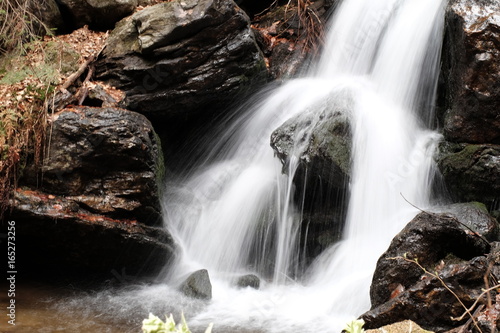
[[182, 58]]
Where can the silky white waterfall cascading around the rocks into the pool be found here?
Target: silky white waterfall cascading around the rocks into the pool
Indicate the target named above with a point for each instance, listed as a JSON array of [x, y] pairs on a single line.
[[234, 213]]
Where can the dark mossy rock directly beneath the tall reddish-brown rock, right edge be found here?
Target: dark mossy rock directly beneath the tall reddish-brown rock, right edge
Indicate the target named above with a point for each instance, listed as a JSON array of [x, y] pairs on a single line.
[[471, 172]]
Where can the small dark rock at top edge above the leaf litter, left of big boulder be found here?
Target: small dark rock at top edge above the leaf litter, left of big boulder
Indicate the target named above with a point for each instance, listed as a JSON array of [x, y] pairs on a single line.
[[97, 14]]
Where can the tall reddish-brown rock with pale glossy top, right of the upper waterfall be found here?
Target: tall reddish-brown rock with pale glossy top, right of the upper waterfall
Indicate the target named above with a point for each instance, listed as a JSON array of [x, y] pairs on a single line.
[[471, 72]]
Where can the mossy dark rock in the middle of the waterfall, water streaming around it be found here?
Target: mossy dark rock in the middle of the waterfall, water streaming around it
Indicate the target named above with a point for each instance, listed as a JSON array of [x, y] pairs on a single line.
[[320, 142]]
